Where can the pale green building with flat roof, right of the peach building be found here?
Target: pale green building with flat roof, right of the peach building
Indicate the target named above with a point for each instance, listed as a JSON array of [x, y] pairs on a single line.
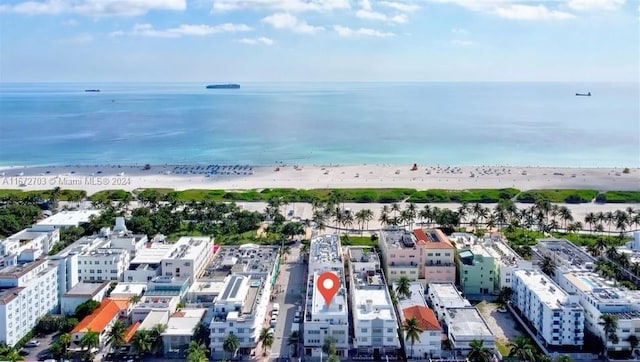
[[477, 270]]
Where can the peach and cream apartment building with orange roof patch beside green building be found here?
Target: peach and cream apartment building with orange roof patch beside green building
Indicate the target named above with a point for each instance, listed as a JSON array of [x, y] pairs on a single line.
[[425, 255]]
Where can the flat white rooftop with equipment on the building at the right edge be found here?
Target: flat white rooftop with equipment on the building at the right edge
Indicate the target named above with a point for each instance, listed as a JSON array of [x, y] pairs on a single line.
[[601, 289]]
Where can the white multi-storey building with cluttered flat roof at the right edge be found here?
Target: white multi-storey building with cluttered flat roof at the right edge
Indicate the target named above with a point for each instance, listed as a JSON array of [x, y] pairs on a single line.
[[599, 296]]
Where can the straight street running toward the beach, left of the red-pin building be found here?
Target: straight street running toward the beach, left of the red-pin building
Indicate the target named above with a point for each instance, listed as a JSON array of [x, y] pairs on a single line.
[[292, 281]]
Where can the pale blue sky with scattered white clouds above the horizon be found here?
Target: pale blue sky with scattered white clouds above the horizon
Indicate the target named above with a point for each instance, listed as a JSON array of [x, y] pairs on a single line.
[[319, 40]]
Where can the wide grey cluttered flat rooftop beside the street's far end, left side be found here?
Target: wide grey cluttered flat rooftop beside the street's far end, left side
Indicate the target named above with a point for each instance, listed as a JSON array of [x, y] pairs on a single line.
[[249, 259]]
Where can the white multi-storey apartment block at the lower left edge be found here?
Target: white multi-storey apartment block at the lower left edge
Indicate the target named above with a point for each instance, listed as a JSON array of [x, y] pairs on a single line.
[[27, 292]]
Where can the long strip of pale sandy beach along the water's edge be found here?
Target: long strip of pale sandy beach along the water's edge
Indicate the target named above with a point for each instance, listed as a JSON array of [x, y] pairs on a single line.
[[100, 177]]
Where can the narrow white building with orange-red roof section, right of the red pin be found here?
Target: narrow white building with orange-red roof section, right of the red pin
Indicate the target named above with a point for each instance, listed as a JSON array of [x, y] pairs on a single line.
[[415, 306]]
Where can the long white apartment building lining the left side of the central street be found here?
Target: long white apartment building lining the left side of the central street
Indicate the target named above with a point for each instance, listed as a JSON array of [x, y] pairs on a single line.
[[248, 273]]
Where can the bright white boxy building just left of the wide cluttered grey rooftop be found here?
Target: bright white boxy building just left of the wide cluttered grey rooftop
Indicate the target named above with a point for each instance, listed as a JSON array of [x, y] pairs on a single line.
[[189, 257]]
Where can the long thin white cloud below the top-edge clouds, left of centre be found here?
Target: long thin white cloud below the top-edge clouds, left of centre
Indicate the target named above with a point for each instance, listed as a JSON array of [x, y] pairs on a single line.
[[185, 30]]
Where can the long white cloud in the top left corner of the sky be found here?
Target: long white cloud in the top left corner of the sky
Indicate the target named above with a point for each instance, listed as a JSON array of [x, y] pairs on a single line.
[[94, 7]]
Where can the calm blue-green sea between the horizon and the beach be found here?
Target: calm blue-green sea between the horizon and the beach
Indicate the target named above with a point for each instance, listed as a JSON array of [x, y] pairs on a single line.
[[321, 123]]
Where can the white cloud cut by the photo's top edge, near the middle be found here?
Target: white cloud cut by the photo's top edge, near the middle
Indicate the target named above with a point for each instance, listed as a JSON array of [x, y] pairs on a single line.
[[282, 5]]
